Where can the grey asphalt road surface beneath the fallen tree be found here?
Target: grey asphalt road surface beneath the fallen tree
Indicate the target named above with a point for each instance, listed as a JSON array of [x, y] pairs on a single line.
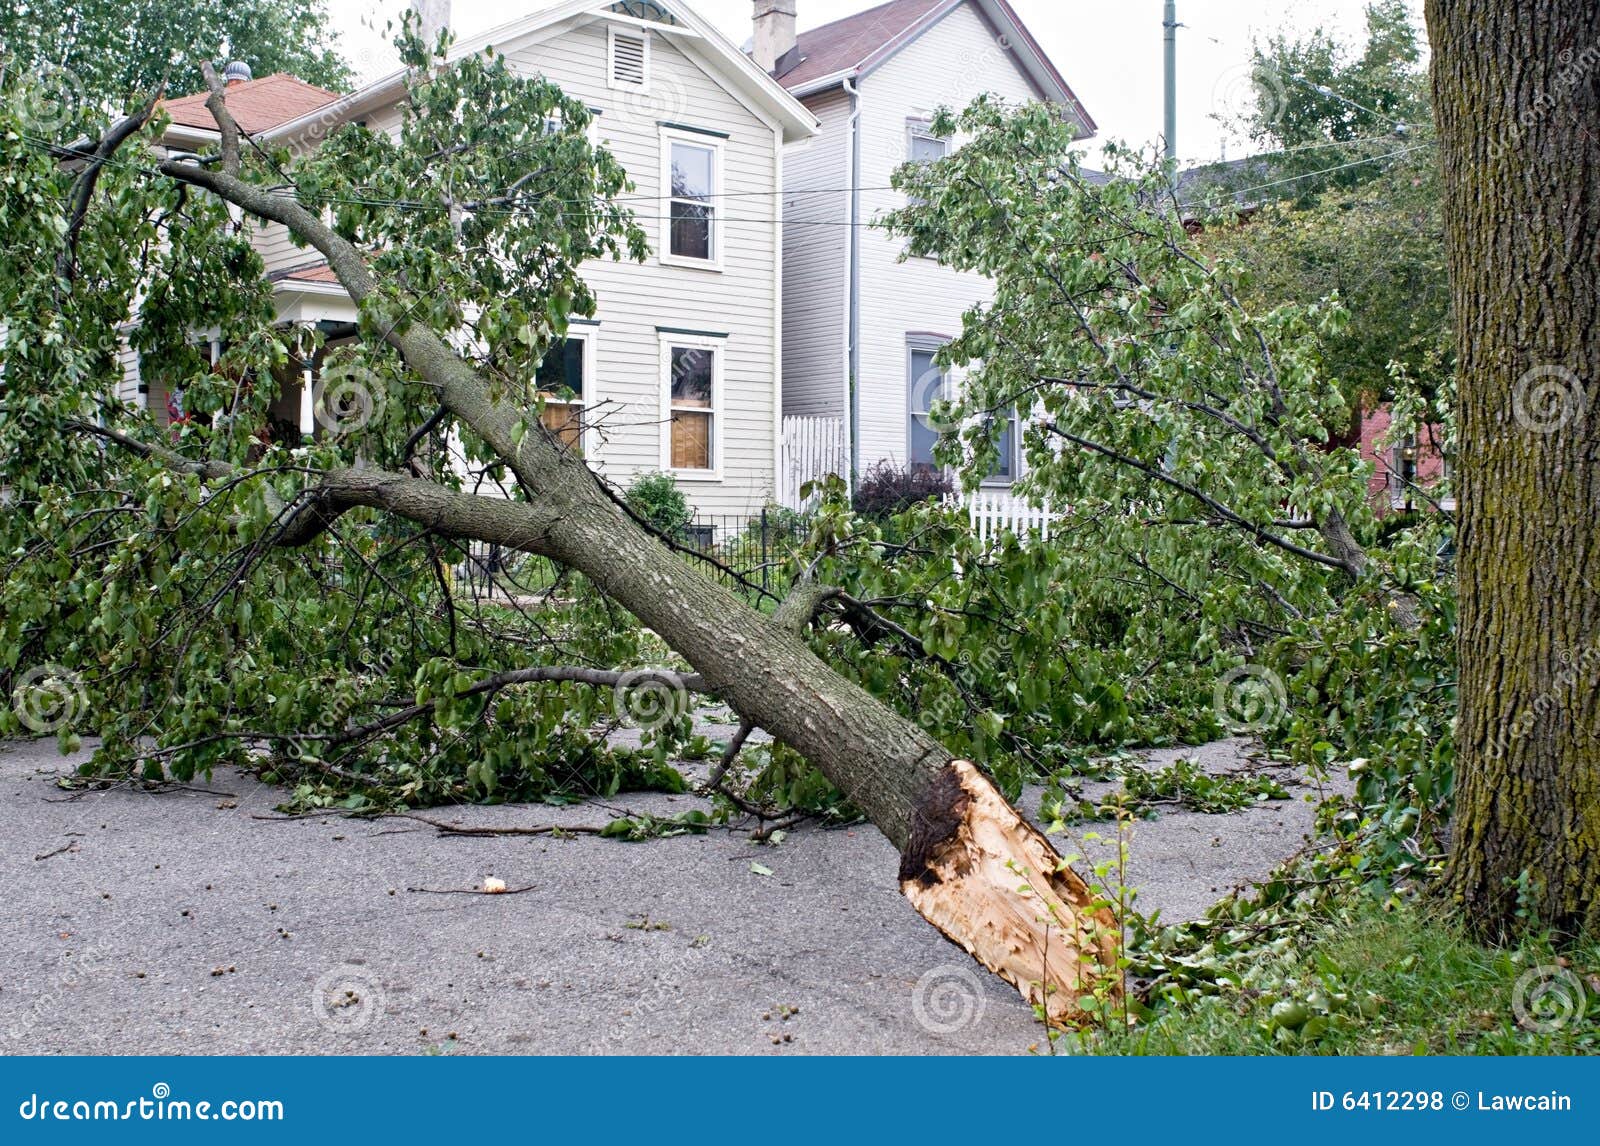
[[194, 923]]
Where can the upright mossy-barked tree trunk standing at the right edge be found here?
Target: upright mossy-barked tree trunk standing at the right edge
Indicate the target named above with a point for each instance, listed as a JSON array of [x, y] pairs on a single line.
[[1518, 97]]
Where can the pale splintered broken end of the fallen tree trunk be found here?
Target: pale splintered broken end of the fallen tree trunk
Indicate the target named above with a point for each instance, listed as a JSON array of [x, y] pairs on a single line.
[[998, 889]]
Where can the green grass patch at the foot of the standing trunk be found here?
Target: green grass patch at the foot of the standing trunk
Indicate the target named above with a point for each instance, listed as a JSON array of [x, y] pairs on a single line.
[[1378, 982]]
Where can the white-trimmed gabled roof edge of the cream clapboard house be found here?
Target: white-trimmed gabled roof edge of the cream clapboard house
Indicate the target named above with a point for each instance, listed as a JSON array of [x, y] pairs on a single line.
[[687, 30]]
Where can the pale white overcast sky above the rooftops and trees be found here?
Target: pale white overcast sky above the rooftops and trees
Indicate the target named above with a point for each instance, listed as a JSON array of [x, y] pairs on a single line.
[[1108, 50]]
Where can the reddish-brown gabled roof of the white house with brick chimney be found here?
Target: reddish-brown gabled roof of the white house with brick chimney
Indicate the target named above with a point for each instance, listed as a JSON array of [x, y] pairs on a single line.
[[855, 47]]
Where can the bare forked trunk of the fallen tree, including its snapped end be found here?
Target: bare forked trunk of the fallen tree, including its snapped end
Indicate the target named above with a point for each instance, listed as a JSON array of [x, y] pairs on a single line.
[[969, 862]]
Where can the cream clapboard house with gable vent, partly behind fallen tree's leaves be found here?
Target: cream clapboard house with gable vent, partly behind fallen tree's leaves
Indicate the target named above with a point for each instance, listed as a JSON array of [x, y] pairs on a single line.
[[681, 367]]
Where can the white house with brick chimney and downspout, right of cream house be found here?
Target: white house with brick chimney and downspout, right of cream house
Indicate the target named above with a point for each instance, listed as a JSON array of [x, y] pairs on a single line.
[[862, 326]]
